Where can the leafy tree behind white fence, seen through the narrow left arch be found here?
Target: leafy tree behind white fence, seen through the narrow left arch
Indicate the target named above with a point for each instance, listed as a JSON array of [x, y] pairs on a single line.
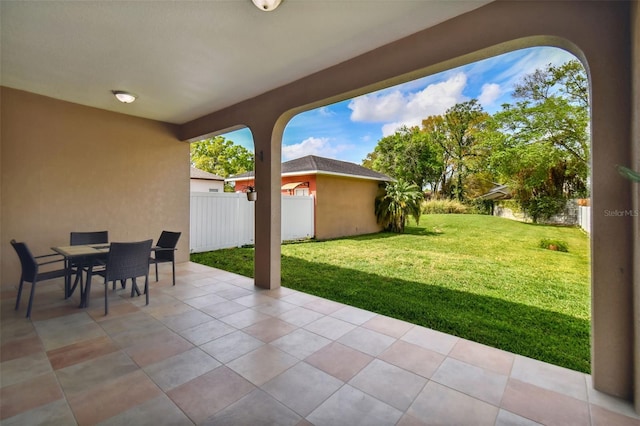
[[221, 156]]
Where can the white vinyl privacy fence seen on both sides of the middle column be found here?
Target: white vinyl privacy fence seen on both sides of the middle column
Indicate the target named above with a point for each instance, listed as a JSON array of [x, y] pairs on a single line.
[[223, 220]]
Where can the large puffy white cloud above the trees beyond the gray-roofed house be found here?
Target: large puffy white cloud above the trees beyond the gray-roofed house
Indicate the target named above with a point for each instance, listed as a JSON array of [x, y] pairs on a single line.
[[396, 109]]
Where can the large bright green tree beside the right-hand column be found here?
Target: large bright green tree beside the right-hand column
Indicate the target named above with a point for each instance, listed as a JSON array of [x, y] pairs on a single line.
[[540, 144]]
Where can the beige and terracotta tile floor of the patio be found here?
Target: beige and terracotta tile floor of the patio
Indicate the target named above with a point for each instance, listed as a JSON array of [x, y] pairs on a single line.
[[214, 350]]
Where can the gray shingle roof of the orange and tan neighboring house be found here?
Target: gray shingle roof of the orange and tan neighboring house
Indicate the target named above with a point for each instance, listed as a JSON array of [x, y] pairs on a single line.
[[312, 164]]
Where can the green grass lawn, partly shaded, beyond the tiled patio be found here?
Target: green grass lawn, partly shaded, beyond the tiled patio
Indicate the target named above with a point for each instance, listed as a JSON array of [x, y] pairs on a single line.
[[482, 278]]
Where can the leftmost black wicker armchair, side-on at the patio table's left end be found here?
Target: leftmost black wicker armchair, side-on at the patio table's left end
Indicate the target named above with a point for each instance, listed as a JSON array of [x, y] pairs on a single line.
[[31, 271]]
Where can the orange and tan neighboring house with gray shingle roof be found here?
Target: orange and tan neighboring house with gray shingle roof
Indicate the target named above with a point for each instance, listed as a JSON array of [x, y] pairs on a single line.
[[344, 193]]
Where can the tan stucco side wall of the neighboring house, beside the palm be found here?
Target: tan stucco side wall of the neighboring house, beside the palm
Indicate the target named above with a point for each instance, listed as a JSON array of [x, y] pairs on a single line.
[[345, 206]]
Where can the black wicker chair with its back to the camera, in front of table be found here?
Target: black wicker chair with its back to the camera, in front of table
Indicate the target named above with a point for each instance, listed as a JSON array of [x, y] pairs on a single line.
[[125, 260]]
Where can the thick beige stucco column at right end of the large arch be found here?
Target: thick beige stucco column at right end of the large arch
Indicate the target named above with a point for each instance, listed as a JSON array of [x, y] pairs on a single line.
[[609, 67]]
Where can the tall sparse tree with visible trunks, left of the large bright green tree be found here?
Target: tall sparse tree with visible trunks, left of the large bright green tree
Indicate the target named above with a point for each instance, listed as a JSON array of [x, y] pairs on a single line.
[[457, 132]]
